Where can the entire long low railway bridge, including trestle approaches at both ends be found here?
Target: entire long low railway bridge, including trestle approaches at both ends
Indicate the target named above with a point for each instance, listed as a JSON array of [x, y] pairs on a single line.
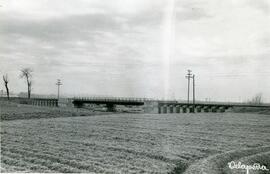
[[146, 105]]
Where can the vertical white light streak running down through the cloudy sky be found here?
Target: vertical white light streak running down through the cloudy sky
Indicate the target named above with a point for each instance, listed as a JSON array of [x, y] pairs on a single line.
[[168, 45]]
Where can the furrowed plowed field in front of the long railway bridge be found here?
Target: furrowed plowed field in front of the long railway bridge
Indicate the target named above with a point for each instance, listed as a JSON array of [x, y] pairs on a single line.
[[131, 143]]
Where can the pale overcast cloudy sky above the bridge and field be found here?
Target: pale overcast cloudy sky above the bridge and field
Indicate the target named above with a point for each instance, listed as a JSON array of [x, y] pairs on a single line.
[[138, 48]]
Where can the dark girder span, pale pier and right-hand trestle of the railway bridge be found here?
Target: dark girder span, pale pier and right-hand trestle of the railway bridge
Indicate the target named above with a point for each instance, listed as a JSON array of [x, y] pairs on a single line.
[[161, 106]]
